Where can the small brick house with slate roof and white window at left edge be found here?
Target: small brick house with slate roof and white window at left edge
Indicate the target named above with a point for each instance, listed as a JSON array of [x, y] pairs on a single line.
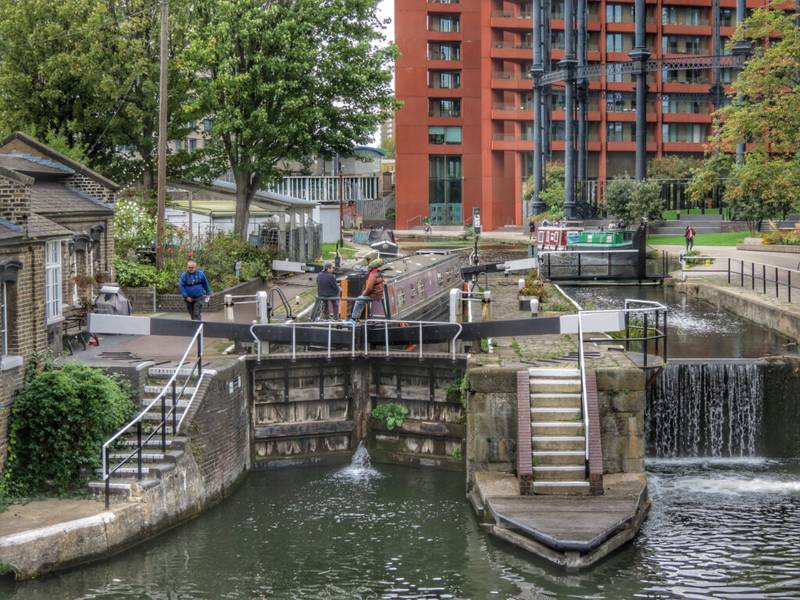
[[56, 225]]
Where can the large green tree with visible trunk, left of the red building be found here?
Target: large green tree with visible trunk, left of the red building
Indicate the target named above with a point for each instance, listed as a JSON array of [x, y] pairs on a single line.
[[287, 80]]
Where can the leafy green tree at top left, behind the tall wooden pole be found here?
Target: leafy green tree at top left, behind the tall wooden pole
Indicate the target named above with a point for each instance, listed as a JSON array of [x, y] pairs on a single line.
[[86, 72]]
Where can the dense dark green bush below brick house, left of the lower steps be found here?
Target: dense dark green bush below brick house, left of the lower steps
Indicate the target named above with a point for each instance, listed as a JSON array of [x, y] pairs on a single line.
[[59, 421]]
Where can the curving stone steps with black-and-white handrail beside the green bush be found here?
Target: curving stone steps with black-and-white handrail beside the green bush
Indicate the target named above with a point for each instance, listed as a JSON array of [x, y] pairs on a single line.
[[157, 461]]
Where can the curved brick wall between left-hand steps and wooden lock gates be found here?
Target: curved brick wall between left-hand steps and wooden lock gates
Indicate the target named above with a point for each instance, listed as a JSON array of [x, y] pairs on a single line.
[[220, 430]]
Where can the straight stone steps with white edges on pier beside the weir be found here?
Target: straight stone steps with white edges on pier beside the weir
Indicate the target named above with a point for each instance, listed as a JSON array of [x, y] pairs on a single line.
[[558, 443]]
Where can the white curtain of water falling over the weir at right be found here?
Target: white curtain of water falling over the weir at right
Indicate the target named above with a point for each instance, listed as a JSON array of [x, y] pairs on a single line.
[[705, 409]]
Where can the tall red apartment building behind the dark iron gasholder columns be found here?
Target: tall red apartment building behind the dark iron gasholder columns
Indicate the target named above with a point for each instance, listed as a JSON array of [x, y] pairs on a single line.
[[463, 136]]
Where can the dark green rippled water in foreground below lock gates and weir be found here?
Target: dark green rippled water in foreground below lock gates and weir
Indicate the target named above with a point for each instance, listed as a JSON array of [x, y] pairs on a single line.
[[723, 529]]
